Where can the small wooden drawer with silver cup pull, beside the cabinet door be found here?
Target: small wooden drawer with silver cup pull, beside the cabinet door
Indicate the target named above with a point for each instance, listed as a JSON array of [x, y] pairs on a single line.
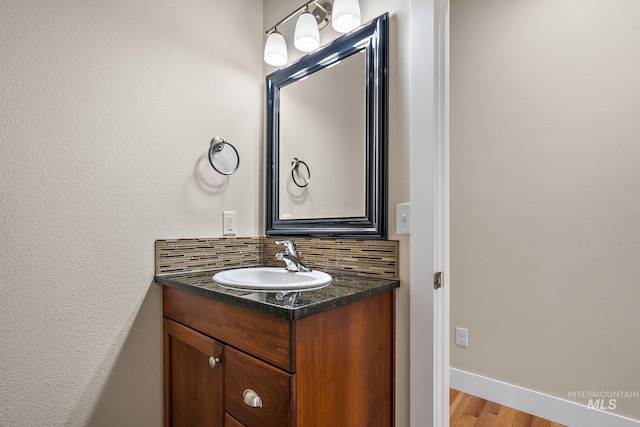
[[245, 374]]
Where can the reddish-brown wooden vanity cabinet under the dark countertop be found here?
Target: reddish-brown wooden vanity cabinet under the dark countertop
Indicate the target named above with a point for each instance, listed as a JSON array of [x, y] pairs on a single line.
[[333, 368]]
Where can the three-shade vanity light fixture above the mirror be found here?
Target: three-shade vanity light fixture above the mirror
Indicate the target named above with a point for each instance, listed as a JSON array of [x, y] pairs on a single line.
[[310, 22]]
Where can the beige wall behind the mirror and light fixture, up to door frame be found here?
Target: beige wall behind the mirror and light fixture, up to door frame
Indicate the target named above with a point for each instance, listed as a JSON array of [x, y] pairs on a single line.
[[399, 10]]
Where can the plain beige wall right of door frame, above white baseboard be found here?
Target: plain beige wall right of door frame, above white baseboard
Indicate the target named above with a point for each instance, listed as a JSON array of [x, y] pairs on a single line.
[[545, 185]]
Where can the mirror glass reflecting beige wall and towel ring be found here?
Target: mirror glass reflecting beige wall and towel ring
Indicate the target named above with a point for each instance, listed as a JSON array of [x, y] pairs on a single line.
[[323, 123]]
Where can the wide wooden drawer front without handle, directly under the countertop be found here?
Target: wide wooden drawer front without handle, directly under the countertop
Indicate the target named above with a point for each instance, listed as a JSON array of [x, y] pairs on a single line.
[[266, 337]]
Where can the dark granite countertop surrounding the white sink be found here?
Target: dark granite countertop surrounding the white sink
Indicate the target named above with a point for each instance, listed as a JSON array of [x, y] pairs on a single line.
[[344, 289]]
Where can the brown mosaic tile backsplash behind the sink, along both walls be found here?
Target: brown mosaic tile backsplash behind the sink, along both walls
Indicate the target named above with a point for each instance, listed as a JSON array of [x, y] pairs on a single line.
[[360, 257]]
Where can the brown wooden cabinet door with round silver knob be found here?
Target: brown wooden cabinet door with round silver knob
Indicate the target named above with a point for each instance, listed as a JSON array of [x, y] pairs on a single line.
[[193, 375]]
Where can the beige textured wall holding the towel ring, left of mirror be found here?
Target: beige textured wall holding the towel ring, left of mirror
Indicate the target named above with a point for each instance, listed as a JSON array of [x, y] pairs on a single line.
[[106, 112]]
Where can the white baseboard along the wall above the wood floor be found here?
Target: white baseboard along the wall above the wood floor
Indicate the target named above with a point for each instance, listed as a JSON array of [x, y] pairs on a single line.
[[552, 408]]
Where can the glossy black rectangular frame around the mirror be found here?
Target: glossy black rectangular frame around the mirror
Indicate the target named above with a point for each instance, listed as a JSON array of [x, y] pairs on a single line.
[[373, 39]]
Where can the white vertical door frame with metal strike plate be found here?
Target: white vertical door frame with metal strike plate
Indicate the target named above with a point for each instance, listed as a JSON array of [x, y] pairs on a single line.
[[429, 195]]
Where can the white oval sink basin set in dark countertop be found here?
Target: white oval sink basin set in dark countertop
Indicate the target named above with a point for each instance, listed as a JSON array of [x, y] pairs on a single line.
[[272, 279]]
